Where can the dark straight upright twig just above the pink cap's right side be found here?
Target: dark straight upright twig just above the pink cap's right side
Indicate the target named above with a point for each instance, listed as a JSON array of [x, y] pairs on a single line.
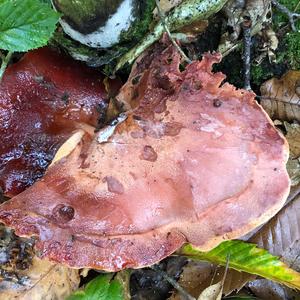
[[246, 25]]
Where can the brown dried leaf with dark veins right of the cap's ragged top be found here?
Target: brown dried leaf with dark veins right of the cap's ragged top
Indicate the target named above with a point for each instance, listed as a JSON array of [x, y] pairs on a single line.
[[281, 97]]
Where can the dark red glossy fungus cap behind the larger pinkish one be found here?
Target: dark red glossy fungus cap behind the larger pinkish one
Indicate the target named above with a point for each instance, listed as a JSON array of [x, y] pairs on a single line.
[[43, 98]]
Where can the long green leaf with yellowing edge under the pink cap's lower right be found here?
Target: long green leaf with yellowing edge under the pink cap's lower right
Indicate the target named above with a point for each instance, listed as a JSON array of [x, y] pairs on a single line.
[[248, 258]]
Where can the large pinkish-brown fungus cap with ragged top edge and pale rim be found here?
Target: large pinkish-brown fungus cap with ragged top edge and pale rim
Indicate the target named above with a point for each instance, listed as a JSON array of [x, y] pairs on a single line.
[[195, 161]]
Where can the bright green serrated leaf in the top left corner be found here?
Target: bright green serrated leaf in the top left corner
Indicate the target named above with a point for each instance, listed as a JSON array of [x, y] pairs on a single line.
[[25, 24]]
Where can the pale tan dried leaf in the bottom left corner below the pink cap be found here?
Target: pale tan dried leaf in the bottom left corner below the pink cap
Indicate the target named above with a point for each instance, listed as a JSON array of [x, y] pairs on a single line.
[[45, 281]]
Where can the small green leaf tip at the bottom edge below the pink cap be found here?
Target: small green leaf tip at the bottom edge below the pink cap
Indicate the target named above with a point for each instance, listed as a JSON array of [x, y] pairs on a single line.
[[101, 288]]
